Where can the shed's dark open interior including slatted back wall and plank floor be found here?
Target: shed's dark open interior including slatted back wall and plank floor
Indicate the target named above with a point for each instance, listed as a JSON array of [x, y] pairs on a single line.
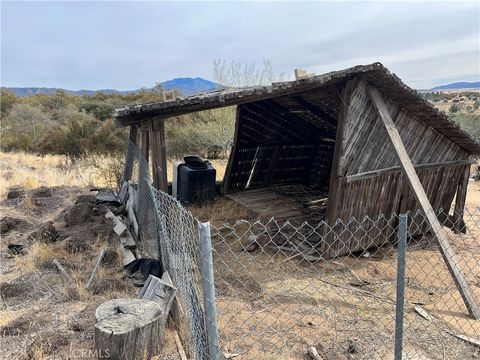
[[285, 146]]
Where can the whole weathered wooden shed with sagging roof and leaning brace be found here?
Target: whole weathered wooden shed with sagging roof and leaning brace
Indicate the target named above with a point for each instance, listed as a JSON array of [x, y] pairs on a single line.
[[351, 143]]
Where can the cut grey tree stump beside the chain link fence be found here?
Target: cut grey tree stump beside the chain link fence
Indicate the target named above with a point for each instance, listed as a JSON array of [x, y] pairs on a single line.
[[129, 329]]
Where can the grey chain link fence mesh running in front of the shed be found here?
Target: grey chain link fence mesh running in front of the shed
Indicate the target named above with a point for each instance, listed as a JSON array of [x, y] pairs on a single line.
[[278, 294]]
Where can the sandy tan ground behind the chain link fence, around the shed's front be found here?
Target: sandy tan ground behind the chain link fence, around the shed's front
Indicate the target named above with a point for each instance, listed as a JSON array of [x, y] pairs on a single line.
[[274, 308]]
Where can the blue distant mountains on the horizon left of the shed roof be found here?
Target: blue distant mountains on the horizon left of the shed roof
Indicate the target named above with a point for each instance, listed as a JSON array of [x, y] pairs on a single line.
[[186, 86]]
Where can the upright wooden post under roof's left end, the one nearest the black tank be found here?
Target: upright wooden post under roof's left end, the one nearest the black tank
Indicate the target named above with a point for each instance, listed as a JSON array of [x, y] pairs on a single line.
[[159, 156]]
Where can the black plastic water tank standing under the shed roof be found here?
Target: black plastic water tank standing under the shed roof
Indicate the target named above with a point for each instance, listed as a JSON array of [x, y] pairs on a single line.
[[195, 181]]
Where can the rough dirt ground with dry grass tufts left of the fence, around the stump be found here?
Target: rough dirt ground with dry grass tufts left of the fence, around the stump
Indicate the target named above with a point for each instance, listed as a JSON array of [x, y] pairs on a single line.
[[40, 318]]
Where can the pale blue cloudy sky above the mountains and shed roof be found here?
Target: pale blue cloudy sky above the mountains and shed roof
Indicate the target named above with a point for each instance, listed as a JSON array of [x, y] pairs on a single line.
[[127, 45]]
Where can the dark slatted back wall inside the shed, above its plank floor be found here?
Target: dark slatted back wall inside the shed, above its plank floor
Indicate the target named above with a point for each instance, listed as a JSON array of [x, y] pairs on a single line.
[[285, 140]]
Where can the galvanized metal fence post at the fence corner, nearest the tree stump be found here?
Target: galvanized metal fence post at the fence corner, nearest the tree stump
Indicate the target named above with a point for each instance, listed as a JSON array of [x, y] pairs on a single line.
[[208, 290]]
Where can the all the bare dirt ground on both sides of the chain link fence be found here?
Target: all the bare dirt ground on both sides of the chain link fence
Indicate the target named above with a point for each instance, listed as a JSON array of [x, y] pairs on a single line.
[[270, 307]]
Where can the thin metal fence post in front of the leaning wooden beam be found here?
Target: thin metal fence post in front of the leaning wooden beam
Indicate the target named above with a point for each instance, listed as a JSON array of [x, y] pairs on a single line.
[[401, 260]]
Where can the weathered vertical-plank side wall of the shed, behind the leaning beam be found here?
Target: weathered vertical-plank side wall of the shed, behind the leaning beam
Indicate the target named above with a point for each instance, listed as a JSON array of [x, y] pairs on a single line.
[[366, 147]]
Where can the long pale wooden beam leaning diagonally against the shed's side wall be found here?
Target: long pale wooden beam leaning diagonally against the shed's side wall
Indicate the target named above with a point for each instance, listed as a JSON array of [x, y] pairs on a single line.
[[447, 251]]
